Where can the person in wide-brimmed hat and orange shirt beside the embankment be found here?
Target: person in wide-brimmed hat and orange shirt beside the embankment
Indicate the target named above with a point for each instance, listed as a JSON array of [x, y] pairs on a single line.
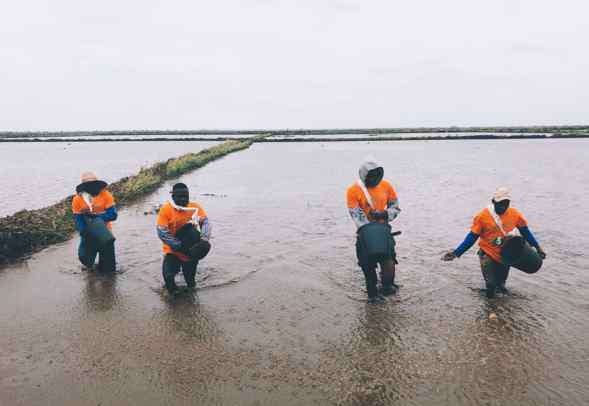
[[92, 199]]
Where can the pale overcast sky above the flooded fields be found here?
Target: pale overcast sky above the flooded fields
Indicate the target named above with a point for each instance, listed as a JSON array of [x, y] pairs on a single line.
[[146, 64]]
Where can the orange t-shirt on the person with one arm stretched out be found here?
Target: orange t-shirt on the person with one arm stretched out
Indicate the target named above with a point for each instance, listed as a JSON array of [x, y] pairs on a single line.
[[484, 225]]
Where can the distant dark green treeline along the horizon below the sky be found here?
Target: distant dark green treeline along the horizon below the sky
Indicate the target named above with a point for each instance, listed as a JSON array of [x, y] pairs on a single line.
[[580, 129]]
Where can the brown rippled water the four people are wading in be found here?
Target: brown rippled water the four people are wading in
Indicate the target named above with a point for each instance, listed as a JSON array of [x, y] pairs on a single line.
[[280, 316]]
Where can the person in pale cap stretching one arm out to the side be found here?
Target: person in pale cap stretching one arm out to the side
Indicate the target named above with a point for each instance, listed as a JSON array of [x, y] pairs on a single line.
[[492, 225]]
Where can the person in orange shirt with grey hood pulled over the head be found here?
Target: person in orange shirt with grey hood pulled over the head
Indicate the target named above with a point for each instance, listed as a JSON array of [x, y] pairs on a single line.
[[371, 199]]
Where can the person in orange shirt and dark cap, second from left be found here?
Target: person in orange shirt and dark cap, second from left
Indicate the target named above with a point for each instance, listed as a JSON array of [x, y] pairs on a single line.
[[177, 218]]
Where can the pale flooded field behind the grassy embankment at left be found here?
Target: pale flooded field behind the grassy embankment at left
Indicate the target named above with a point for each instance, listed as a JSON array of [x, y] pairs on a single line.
[[39, 174]]
